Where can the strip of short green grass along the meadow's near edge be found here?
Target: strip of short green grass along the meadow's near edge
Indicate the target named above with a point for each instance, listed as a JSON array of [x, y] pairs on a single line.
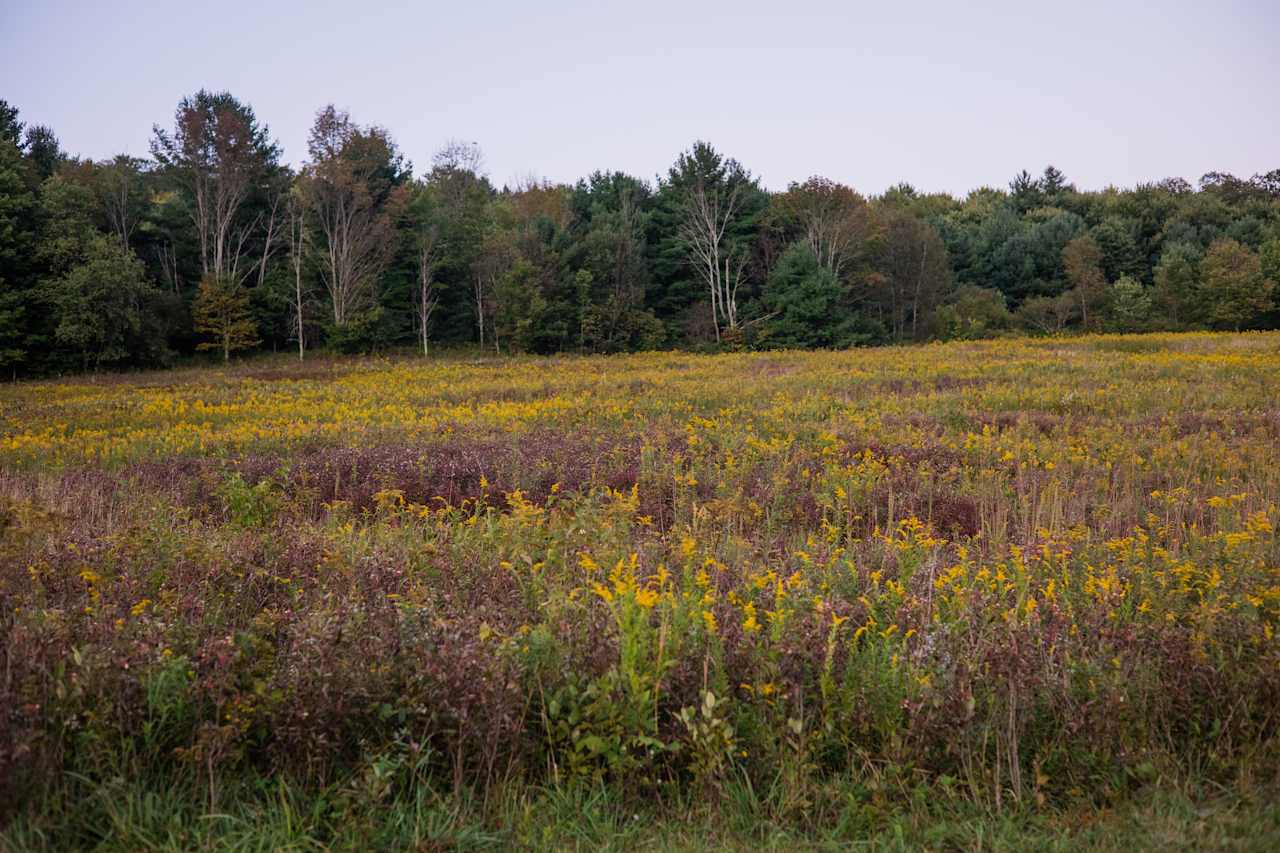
[[269, 815]]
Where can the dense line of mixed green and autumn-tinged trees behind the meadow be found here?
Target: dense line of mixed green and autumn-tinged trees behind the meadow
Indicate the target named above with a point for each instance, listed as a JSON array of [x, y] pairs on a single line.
[[214, 244]]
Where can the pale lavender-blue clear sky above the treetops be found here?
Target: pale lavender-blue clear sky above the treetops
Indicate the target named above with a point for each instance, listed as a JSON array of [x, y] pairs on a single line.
[[945, 95]]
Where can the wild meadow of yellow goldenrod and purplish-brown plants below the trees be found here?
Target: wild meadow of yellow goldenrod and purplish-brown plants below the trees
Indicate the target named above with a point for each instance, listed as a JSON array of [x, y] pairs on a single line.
[[1009, 594]]
